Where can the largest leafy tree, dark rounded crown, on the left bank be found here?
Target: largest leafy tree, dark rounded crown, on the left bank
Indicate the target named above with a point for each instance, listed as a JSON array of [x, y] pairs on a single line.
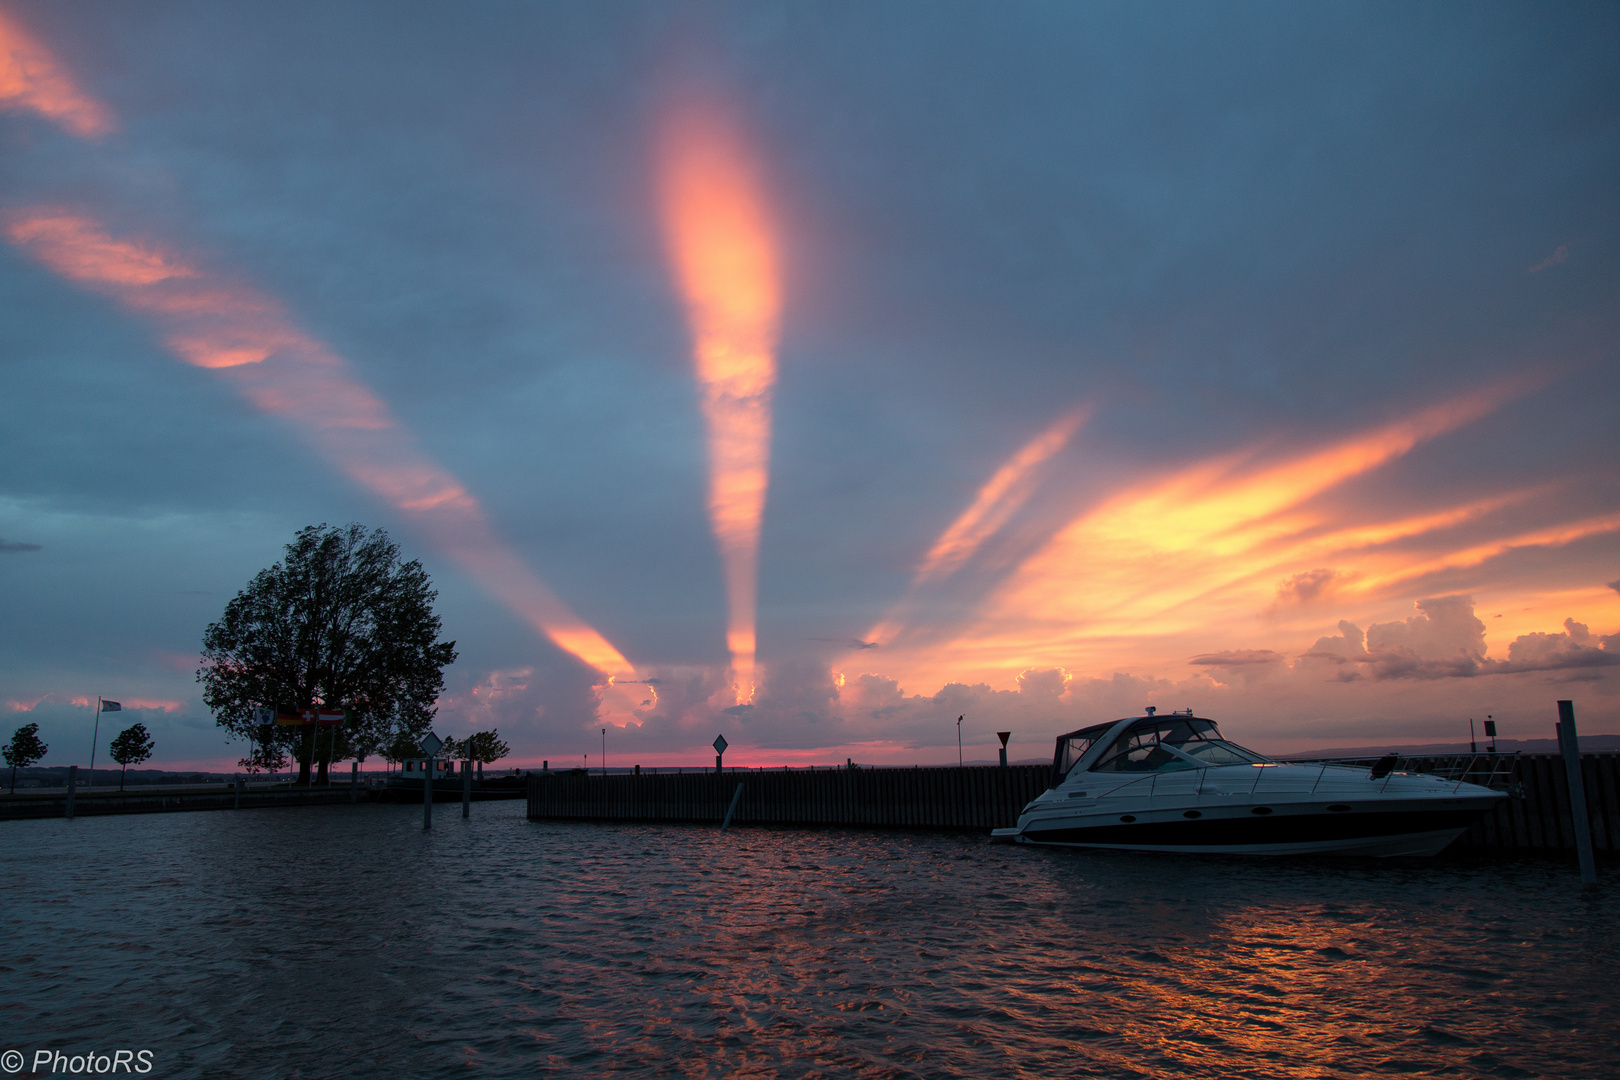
[[341, 623]]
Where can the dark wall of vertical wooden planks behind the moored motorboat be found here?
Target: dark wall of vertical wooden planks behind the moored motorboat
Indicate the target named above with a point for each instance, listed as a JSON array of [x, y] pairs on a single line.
[[989, 797]]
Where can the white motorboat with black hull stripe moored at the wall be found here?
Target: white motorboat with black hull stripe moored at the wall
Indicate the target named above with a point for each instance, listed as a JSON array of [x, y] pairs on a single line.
[[1174, 784]]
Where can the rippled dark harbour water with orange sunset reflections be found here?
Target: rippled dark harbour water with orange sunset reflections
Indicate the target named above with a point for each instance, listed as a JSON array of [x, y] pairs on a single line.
[[341, 942]]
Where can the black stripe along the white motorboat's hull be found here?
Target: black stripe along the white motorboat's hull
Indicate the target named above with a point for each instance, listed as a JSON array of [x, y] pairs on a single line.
[[1261, 831]]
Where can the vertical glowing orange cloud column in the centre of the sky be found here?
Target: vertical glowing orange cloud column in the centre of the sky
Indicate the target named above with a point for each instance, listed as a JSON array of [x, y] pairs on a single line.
[[725, 255]]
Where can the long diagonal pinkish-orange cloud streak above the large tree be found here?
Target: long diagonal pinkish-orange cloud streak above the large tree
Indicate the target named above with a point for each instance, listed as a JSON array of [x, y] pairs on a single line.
[[250, 339]]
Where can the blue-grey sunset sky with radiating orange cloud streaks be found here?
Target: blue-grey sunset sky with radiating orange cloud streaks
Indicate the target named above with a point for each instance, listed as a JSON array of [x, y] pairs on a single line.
[[819, 375]]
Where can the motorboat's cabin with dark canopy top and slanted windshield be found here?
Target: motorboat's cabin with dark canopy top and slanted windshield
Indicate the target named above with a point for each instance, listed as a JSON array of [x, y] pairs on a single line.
[[1148, 744]]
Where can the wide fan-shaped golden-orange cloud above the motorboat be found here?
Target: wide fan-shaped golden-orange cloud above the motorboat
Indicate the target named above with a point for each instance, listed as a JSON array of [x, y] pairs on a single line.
[[1201, 553]]
